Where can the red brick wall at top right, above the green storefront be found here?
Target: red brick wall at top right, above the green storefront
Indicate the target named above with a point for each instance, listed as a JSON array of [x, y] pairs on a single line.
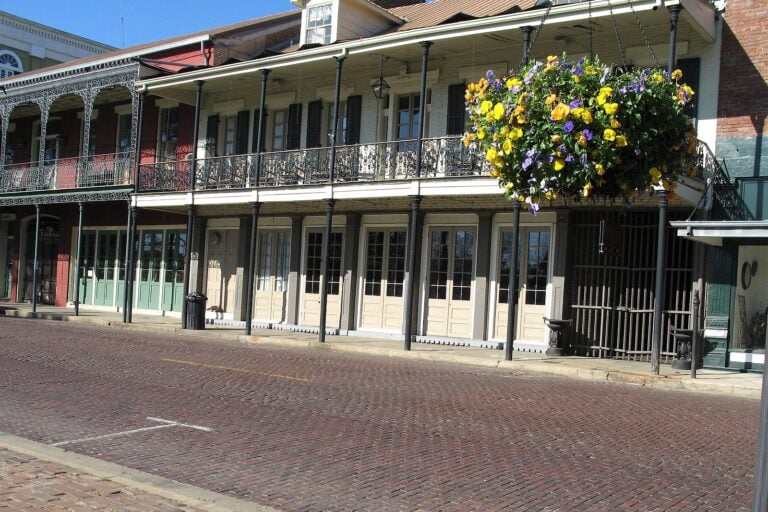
[[743, 91]]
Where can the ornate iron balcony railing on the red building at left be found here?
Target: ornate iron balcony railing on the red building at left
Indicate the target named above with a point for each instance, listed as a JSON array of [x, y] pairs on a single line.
[[106, 170]]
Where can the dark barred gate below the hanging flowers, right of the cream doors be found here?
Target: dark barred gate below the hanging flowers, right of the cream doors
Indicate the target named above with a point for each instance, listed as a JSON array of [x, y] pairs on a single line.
[[612, 269]]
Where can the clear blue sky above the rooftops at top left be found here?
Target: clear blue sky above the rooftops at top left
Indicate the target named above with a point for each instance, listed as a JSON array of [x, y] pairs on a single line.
[[123, 23]]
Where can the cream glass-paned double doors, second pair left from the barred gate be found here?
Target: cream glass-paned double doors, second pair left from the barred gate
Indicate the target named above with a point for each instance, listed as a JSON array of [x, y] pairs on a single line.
[[450, 277]]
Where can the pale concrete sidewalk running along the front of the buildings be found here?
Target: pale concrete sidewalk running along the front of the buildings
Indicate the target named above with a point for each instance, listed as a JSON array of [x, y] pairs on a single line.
[[719, 382]]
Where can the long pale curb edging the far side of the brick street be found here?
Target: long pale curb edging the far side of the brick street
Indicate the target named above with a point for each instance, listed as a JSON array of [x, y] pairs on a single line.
[[663, 382]]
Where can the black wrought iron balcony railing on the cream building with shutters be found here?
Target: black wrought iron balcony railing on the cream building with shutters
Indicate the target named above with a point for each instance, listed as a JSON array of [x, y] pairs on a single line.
[[381, 161]]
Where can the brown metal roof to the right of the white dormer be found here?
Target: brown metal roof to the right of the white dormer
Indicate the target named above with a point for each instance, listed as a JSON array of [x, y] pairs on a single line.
[[445, 11]]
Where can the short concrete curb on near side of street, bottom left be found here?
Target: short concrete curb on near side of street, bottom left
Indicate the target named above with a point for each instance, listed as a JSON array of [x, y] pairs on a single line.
[[145, 482]]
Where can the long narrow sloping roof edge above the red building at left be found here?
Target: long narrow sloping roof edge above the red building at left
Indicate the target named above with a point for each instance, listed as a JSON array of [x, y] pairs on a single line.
[[149, 48]]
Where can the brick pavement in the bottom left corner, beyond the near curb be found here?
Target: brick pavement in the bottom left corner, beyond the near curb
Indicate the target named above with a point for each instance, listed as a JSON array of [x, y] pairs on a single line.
[[32, 484]]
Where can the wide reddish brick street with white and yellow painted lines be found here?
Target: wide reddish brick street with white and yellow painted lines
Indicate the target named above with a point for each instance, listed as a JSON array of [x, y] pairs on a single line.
[[305, 430]]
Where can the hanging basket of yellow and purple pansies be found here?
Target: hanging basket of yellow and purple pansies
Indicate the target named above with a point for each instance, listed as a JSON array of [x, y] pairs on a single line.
[[580, 129]]
